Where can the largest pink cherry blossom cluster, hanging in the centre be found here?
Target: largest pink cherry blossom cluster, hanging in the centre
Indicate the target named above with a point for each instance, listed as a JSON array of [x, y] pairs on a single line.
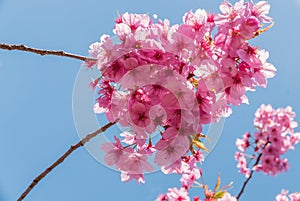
[[164, 82]]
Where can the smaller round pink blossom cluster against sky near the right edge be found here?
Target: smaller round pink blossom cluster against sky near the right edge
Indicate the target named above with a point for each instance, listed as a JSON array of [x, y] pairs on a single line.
[[274, 136]]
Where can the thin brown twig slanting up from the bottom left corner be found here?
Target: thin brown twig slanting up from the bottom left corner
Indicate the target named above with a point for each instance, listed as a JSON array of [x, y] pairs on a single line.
[[63, 157]]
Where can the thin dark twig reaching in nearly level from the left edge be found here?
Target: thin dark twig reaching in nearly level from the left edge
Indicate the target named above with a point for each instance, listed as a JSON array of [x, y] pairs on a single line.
[[42, 52]]
